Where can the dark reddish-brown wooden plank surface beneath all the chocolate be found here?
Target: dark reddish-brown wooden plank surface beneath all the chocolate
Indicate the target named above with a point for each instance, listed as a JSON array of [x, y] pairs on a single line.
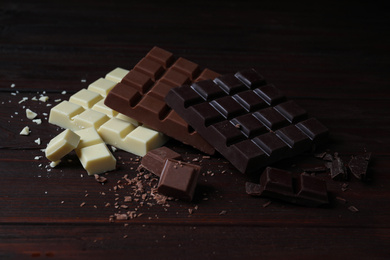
[[332, 58]]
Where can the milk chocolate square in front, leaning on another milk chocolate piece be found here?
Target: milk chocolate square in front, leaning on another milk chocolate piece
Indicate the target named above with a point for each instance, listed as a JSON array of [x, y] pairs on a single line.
[[178, 179]]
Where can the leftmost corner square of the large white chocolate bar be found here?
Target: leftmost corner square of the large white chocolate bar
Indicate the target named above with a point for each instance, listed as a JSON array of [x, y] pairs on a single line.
[[63, 113]]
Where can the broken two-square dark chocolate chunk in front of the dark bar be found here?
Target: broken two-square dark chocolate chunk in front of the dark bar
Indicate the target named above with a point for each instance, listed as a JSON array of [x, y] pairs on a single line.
[[279, 184]]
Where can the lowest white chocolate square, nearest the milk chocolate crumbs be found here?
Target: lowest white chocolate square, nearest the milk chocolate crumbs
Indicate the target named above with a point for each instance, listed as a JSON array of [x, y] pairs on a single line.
[[96, 159]]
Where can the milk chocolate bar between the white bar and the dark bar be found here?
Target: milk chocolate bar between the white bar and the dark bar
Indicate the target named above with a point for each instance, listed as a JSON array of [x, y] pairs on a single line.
[[140, 95]]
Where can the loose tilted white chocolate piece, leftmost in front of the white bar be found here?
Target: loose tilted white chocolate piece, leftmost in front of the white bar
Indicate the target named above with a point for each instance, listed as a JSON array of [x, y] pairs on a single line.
[[61, 145]]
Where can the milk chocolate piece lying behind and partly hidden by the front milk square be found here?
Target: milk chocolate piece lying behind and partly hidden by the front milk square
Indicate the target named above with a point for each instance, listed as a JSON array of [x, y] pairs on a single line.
[[155, 159]]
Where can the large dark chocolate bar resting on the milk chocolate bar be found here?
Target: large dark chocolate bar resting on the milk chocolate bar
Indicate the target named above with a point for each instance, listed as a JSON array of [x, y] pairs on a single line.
[[251, 123]]
